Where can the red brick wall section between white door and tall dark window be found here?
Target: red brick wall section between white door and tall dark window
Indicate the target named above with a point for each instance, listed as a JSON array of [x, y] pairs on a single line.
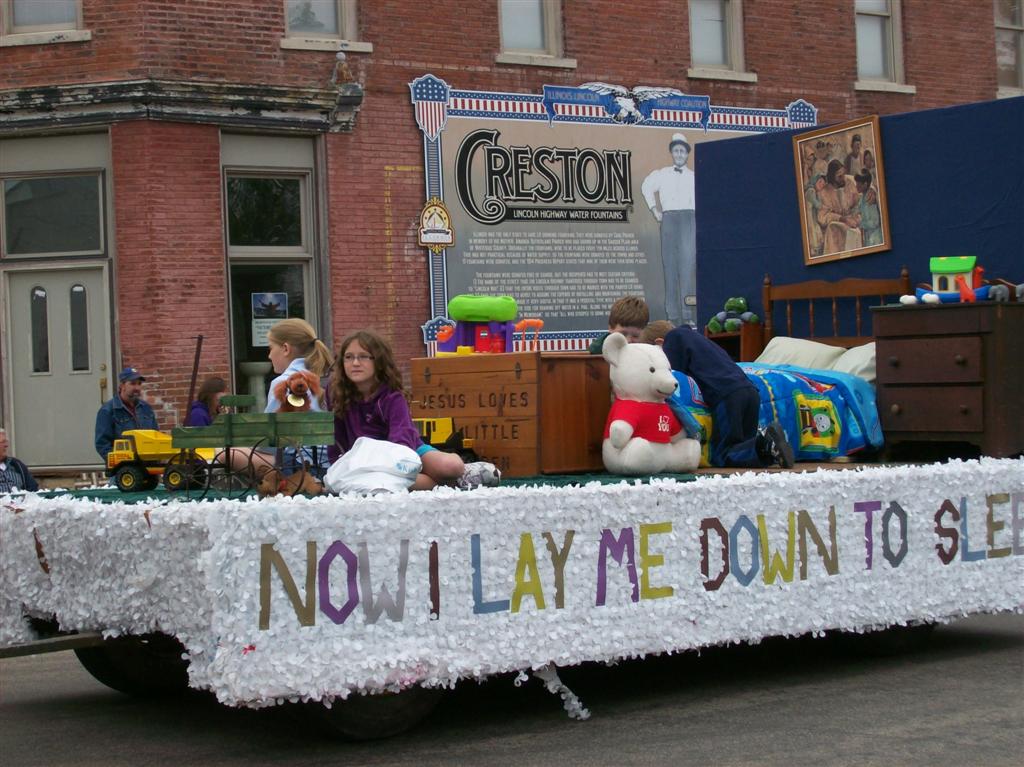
[[169, 271]]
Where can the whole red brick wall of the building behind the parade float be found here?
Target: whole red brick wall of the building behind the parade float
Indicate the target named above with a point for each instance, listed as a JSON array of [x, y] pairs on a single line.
[[170, 267]]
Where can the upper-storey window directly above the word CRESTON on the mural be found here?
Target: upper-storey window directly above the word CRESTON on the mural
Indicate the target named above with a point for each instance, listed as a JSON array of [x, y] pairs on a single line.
[[532, 33]]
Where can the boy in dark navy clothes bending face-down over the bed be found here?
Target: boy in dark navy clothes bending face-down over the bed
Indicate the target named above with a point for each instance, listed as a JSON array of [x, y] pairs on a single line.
[[731, 397]]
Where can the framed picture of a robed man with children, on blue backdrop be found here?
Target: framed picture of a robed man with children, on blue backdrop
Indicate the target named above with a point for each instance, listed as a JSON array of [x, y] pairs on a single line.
[[841, 192]]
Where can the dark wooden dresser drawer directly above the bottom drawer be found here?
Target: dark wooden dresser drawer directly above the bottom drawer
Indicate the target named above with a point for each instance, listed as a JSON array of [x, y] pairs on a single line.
[[945, 360]]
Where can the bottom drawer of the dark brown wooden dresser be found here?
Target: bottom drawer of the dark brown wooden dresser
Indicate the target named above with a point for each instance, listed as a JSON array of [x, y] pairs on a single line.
[[931, 409]]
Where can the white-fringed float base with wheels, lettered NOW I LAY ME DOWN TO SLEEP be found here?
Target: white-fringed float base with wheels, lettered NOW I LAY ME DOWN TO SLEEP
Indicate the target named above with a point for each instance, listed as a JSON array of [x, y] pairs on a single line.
[[293, 601]]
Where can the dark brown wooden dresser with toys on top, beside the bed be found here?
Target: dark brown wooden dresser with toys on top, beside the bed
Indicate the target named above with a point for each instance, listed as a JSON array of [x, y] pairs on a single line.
[[953, 373]]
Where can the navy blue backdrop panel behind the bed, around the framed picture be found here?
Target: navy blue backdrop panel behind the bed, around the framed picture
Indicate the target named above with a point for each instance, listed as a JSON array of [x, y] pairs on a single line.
[[955, 181]]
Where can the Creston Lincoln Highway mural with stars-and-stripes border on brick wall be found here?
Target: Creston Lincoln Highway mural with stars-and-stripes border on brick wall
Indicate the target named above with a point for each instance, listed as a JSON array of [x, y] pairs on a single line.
[[570, 199]]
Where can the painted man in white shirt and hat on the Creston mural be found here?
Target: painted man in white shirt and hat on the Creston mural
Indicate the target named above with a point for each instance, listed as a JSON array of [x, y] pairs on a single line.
[[671, 197]]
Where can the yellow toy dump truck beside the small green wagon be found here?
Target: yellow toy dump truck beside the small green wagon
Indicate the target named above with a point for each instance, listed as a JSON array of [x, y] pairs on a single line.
[[141, 457]]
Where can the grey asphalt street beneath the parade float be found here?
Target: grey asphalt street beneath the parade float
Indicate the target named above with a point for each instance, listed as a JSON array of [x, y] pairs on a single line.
[[957, 701]]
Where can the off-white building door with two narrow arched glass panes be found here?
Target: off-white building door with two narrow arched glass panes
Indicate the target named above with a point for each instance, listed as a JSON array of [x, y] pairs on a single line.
[[59, 348]]
